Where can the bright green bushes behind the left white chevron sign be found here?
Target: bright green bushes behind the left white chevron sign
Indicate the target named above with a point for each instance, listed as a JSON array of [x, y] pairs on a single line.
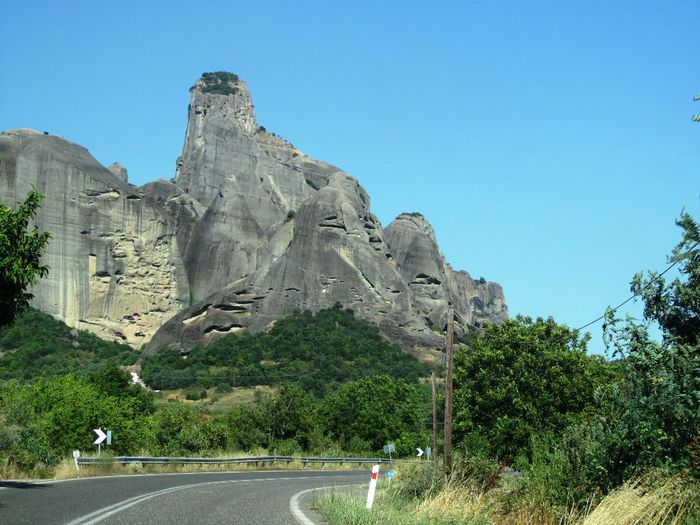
[[41, 422]]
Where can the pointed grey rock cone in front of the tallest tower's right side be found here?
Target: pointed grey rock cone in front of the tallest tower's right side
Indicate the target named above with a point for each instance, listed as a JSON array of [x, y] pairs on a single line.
[[337, 255]]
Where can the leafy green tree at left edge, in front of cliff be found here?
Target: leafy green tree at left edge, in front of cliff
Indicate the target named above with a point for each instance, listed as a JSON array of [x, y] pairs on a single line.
[[21, 248]]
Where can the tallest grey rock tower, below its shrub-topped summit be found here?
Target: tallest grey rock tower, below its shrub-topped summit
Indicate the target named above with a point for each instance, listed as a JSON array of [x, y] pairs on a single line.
[[249, 182]]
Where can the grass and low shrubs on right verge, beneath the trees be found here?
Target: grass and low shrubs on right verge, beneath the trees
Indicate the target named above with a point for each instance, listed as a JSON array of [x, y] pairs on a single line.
[[479, 494]]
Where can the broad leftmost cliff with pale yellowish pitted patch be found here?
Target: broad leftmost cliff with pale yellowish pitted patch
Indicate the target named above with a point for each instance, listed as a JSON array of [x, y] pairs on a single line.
[[113, 257]]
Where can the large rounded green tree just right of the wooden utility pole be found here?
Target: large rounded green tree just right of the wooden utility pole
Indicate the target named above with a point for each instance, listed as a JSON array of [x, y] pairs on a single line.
[[521, 379]]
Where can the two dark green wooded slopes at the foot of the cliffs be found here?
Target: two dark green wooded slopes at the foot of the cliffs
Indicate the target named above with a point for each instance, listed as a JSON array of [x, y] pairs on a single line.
[[319, 352]]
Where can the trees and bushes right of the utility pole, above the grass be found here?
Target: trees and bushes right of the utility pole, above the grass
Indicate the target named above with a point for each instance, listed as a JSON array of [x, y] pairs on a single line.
[[574, 424]]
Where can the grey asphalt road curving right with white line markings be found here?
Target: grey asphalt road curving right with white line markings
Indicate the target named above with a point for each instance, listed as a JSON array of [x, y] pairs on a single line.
[[240, 498]]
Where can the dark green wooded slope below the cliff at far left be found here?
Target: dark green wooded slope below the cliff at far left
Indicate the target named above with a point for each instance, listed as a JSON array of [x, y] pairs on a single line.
[[36, 345]]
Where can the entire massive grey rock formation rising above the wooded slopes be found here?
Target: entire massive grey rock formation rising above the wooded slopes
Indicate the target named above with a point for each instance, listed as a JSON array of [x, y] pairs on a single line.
[[251, 230]]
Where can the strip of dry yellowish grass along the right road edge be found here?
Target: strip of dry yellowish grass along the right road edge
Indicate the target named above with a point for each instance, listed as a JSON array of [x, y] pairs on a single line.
[[659, 500]]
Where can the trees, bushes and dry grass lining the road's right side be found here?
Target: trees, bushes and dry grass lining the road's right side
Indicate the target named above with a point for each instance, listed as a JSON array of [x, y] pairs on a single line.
[[547, 434]]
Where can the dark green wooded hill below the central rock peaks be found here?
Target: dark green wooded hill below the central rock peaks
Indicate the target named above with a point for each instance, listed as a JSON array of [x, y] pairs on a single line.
[[318, 351]]
